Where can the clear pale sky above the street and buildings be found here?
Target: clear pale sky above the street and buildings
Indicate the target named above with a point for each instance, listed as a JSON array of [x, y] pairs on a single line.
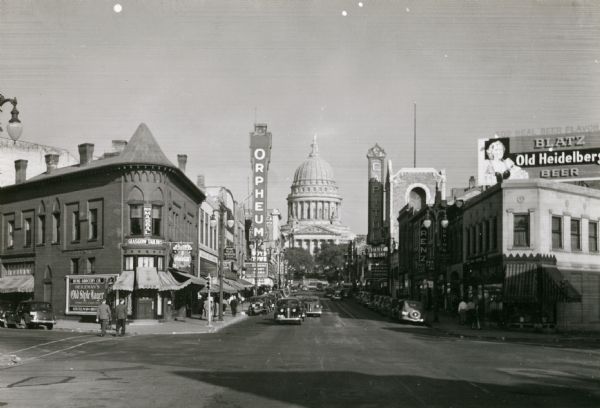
[[201, 73]]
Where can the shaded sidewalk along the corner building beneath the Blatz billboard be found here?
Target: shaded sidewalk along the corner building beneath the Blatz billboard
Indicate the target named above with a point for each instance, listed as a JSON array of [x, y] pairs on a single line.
[[449, 325]]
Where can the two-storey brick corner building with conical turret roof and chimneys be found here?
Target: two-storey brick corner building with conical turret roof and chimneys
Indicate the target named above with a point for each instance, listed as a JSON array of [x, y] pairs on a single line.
[[114, 217]]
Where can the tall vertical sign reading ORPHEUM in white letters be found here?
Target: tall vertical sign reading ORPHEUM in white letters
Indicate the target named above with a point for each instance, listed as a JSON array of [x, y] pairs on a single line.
[[260, 157]]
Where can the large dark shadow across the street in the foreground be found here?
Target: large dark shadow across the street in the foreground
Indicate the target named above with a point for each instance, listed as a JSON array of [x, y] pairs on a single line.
[[313, 389]]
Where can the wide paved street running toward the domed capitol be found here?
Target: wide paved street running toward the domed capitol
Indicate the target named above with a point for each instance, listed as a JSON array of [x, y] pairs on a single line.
[[349, 357]]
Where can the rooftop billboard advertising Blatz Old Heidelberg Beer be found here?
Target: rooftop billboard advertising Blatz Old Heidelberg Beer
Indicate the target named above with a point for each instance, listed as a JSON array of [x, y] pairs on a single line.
[[562, 157]]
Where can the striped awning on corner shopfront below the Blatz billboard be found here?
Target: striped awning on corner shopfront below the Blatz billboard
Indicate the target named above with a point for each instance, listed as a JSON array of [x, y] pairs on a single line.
[[520, 282]]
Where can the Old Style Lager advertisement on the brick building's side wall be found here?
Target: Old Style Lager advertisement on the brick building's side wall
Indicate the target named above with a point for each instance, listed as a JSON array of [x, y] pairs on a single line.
[[85, 292]]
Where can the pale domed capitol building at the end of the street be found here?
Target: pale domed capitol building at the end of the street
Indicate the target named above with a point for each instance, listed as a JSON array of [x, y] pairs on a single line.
[[314, 206]]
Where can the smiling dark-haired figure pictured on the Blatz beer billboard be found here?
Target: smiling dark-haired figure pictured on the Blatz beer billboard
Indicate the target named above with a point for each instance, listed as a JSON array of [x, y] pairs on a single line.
[[497, 166]]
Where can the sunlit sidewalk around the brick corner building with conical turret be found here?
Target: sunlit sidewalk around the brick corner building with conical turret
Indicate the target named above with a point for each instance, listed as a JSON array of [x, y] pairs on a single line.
[[191, 325]]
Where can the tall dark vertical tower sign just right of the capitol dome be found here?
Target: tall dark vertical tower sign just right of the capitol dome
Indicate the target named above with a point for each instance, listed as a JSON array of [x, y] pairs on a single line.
[[376, 160]]
